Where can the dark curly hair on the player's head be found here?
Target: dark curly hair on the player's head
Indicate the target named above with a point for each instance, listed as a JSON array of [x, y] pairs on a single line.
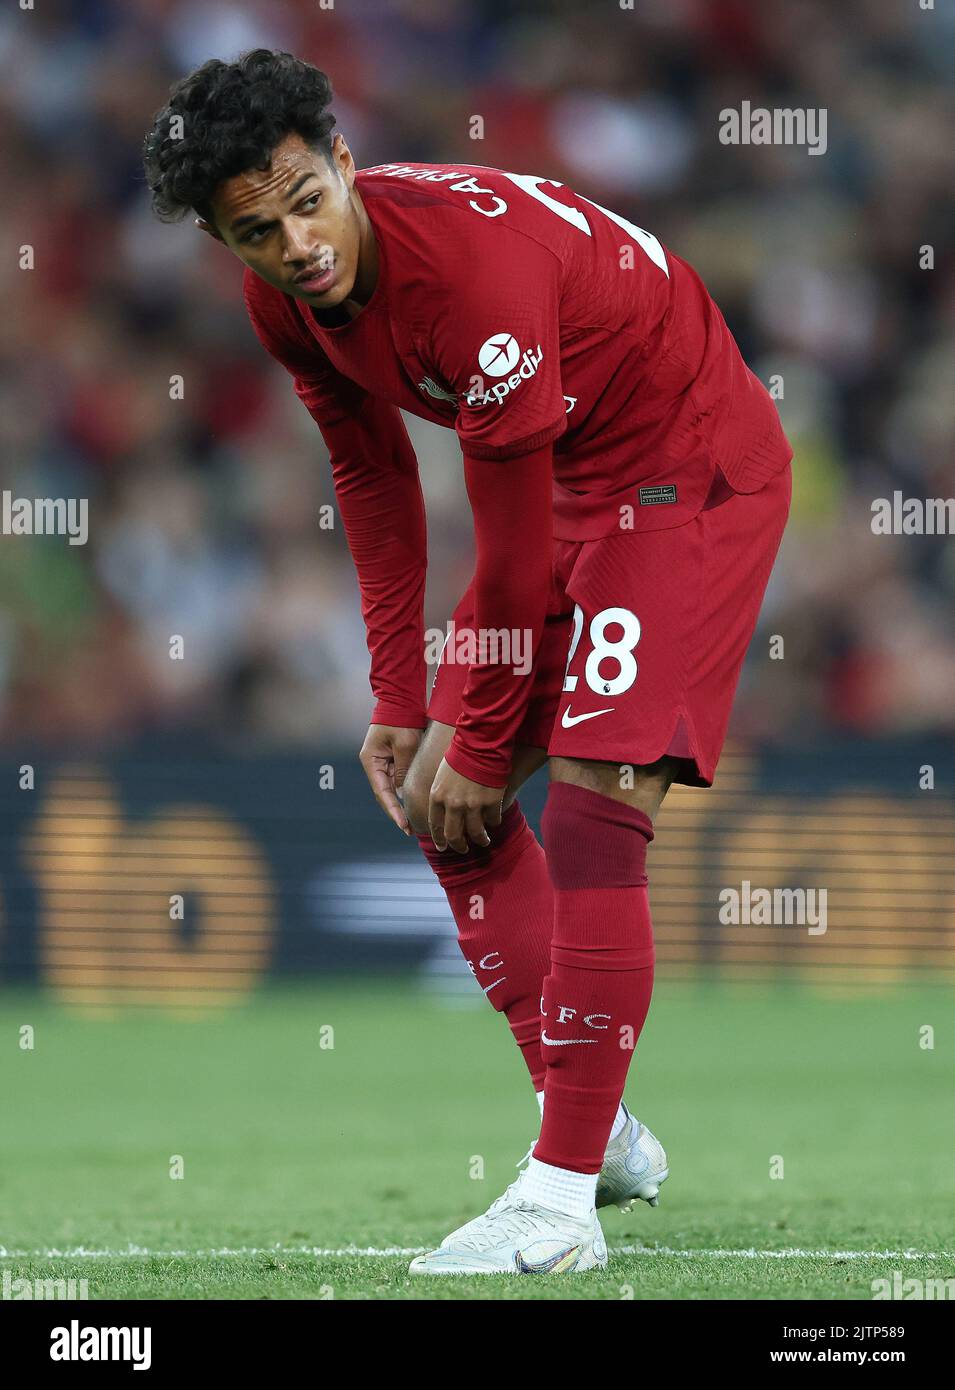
[[229, 117]]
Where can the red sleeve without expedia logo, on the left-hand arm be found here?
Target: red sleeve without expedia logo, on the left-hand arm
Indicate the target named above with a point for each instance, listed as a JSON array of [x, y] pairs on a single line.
[[379, 496]]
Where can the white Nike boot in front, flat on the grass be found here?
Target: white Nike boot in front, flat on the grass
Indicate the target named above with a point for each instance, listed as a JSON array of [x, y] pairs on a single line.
[[519, 1238]]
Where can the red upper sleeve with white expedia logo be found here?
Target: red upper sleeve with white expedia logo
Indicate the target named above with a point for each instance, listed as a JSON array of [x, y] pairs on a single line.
[[496, 338]]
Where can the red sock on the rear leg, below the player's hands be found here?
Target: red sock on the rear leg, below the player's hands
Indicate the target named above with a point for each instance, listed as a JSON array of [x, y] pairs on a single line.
[[503, 901]]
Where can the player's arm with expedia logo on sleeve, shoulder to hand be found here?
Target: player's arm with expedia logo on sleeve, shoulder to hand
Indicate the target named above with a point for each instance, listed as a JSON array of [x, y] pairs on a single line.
[[497, 340]]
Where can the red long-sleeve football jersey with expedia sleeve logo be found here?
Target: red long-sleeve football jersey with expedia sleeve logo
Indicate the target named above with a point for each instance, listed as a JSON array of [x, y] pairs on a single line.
[[591, 380]]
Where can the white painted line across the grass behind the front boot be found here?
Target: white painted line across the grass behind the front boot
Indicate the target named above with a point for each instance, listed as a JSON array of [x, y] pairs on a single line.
[[402, 1252]]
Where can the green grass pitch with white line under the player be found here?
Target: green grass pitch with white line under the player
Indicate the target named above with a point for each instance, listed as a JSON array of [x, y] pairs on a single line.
[[316, 1172]]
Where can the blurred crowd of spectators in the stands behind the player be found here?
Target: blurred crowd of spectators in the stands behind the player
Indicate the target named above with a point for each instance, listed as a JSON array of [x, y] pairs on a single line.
[[205, 511]]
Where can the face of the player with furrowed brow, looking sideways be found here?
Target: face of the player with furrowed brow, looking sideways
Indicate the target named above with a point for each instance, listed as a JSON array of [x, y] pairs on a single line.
[[298, 223]]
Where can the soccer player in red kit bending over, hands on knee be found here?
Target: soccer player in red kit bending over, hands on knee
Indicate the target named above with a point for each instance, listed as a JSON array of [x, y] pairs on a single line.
[[629, 482]]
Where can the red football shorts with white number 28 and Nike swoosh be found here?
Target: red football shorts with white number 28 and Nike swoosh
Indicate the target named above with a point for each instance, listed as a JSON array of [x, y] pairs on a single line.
[[646, 637]]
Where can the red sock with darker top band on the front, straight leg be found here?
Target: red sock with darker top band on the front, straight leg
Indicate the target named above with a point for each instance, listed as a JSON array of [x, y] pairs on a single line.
[[598, 992]]
